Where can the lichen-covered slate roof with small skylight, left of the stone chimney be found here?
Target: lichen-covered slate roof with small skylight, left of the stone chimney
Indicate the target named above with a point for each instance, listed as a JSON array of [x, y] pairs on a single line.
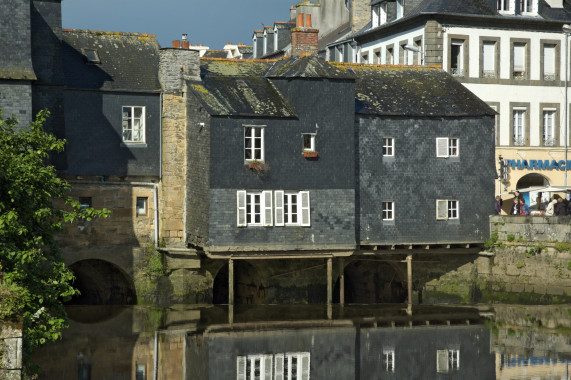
[[129, 61]]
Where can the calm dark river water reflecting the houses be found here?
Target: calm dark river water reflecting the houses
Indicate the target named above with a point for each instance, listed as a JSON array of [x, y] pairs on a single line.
[[311, 342]]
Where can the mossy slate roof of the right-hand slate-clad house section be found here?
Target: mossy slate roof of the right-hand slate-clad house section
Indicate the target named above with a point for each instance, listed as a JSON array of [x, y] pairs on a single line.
[[424, 91]]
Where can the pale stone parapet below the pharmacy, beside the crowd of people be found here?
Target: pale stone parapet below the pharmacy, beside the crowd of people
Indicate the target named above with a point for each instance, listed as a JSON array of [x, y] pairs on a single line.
[[532, 228]]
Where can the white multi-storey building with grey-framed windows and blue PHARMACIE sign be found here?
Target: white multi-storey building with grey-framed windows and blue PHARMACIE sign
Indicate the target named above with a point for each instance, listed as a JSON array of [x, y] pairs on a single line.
[[509, 53]]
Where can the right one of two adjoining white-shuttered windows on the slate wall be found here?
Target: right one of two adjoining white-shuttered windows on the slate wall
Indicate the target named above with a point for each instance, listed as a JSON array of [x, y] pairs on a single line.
[[292, 208]]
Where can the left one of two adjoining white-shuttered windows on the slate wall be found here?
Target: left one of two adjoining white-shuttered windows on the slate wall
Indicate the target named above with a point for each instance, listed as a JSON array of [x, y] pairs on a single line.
[[246, 202]]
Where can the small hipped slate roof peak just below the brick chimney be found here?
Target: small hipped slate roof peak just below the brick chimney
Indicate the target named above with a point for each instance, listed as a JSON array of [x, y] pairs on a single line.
[[305, 67]]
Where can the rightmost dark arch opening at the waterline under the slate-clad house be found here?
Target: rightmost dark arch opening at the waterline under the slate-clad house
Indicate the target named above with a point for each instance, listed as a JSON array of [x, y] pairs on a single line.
[[372, 281]]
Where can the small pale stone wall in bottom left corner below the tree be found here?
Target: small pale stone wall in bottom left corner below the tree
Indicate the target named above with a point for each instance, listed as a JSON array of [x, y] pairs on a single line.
[[10, 350]]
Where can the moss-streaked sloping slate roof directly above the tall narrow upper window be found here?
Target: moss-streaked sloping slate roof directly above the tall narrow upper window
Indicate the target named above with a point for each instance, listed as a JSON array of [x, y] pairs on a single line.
[[241, 96]]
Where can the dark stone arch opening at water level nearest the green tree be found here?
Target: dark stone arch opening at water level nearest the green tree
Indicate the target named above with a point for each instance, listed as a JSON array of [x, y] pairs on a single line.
[[101, 283]]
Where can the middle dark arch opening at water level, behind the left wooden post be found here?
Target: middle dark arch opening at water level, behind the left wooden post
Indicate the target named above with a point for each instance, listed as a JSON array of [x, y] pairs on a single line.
[[248, 285]]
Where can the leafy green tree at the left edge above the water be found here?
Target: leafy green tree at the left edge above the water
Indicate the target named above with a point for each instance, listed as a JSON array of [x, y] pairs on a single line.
[[34, 205]]
